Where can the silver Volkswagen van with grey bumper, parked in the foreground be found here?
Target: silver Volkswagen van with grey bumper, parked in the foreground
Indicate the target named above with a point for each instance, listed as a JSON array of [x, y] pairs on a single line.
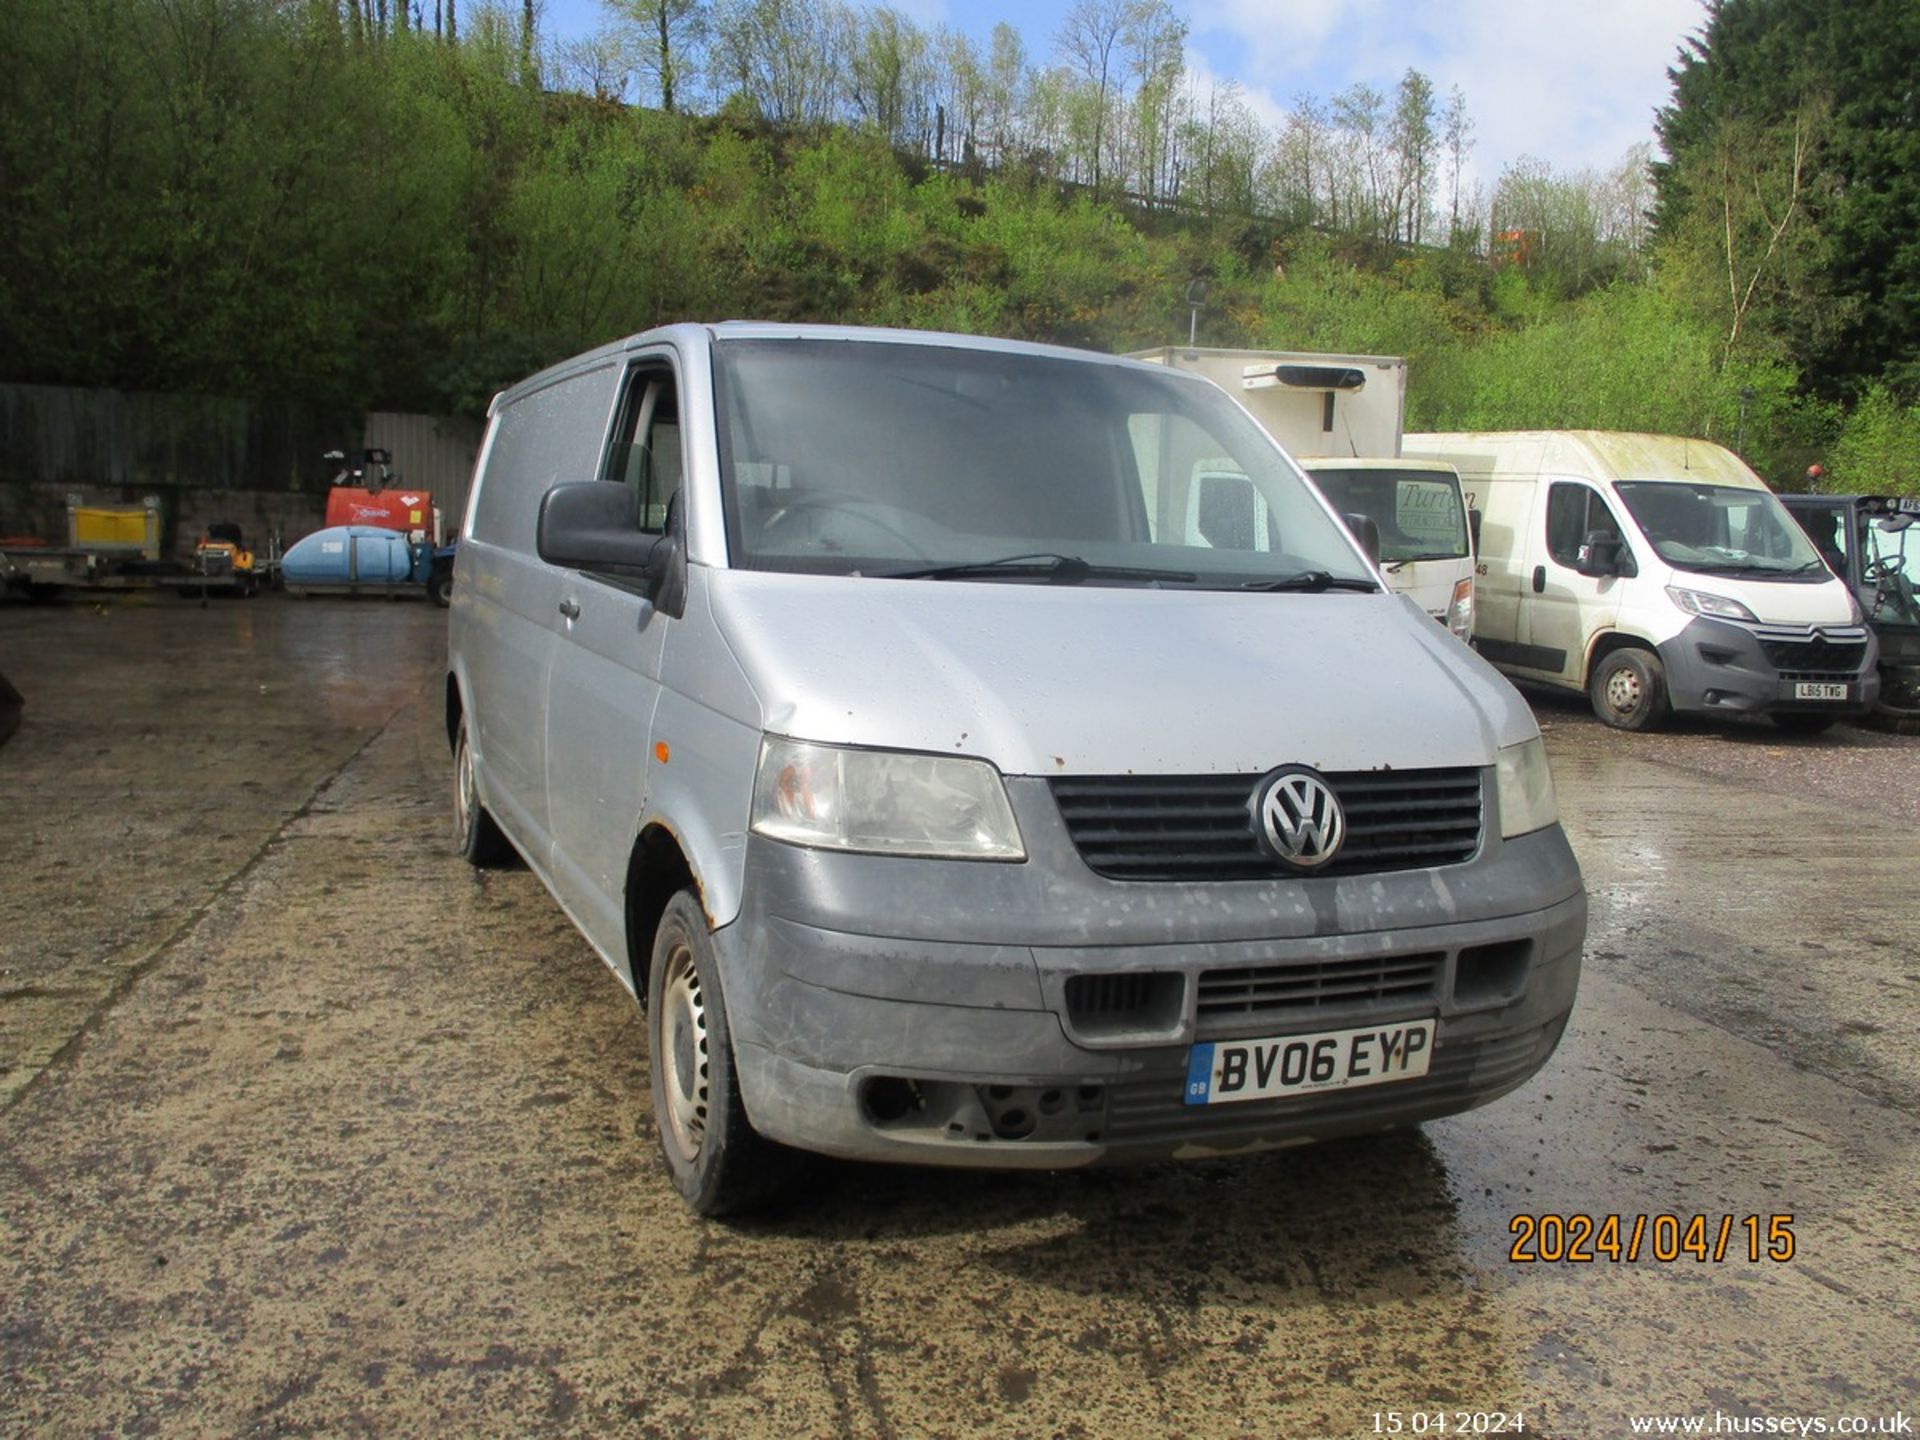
[[953, 792]]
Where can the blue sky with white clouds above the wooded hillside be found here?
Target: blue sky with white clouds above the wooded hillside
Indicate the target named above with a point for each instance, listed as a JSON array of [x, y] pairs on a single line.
[[1568, 82]]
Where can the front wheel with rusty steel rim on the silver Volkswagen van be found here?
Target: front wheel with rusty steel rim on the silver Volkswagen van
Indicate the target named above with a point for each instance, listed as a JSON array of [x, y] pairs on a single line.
[[717, 1161]]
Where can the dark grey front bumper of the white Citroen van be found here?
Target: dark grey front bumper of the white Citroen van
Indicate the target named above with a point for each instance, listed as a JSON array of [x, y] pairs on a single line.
[[1723, 667]]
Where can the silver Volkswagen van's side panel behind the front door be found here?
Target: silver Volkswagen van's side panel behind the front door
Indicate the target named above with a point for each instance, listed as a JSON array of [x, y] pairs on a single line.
[[512, 598]]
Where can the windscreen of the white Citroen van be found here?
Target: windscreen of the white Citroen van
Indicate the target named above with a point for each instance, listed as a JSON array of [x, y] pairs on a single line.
[[1727, 531]]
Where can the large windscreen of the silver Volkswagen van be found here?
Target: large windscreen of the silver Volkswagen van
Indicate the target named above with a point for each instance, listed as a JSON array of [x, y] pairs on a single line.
[[901, 460]]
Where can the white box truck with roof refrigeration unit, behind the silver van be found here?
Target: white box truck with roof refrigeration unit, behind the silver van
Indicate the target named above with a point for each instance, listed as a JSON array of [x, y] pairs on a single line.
[[1341, 420]]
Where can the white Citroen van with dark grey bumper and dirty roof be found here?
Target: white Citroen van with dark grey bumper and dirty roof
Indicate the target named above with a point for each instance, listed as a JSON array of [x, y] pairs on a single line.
[[1656, 575]]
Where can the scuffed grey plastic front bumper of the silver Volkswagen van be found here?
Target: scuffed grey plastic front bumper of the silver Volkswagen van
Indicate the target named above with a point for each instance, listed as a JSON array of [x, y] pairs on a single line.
[[942, 1013]]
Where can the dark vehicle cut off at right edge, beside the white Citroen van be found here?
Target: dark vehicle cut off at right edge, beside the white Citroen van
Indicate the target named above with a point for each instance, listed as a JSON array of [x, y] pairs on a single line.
[[1873, 542]]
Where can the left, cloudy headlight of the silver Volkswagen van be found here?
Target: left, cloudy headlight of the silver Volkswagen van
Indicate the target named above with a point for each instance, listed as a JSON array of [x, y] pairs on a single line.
[[884, 802]]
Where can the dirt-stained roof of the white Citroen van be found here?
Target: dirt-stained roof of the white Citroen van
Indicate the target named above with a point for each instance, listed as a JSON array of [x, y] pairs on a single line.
[[1602, 454]]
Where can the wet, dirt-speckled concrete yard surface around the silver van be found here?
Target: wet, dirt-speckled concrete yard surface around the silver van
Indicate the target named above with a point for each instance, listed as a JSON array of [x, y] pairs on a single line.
[[312, 1130]]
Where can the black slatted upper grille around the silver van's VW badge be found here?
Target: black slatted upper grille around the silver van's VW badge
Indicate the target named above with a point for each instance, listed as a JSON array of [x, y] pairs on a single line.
[[1203, 827]]
